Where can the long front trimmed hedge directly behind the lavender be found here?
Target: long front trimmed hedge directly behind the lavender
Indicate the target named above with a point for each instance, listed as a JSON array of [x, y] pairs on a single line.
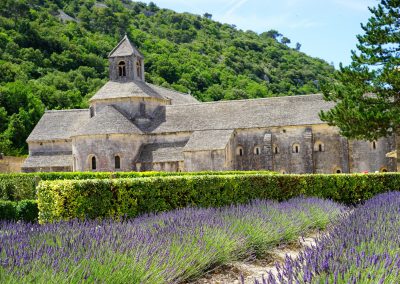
[[63, 200]]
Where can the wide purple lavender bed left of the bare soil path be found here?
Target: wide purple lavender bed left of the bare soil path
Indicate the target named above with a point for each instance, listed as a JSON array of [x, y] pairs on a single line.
[[165, 248]]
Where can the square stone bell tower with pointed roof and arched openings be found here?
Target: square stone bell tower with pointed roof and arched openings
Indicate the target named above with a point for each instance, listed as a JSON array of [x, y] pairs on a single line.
[[126, 63]]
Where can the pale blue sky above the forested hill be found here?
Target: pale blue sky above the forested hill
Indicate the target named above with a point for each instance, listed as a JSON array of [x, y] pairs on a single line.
[[325, 28]]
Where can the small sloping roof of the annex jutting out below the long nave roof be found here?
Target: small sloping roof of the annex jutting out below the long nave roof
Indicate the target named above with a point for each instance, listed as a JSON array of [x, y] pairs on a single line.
[[208, 140]]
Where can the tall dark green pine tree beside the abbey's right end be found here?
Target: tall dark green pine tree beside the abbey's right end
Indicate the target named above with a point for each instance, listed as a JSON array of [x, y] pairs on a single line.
[[367, 92]]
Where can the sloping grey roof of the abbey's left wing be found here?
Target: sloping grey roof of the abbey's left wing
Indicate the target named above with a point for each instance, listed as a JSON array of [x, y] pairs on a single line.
[[59, 124]]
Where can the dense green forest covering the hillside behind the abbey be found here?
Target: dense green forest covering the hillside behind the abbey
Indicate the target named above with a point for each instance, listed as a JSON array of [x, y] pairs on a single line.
[[53, 55]]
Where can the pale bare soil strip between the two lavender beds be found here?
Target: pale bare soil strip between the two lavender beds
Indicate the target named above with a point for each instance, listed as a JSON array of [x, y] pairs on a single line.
[[231, 273]]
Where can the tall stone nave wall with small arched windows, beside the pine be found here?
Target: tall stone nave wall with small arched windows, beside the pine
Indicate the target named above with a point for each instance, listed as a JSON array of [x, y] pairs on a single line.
[[309, 149]]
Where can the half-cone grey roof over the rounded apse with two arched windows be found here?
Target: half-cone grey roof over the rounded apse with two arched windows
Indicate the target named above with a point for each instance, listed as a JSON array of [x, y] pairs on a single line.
[[108, 121]]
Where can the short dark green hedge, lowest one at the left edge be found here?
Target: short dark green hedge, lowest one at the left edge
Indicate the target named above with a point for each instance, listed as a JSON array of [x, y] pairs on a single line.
[[26, 210]]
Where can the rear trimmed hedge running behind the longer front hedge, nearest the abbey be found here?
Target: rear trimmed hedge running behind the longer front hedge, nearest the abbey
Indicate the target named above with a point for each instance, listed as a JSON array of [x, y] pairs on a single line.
[[17, 187]]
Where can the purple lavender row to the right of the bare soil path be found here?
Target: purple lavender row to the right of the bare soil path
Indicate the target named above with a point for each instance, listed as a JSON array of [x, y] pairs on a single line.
[[363, 248]]
